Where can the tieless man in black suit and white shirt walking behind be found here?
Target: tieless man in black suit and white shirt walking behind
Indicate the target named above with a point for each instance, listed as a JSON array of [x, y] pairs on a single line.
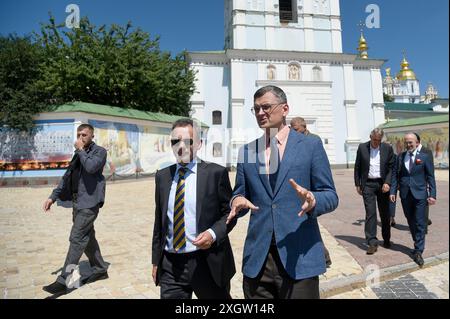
[[373, 172]]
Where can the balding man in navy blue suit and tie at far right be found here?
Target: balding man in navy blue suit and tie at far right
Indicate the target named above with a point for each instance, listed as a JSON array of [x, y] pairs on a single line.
[[415, 180]]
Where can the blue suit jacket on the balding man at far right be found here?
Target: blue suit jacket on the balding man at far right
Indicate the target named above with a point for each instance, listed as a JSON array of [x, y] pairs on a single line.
[[420, 181]]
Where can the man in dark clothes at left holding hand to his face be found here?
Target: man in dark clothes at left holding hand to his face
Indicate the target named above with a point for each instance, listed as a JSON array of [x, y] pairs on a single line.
[[84, 185]]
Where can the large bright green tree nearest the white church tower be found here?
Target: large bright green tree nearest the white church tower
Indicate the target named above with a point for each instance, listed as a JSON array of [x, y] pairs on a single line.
[[115, 66]]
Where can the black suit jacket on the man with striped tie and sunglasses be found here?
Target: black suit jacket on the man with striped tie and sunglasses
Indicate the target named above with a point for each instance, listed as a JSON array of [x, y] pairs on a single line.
[[212, 209]]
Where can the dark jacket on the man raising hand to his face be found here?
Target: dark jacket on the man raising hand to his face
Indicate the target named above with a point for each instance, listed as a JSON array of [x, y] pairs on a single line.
[[91, 187]]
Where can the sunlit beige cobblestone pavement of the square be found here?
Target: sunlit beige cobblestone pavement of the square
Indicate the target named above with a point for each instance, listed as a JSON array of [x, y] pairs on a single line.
[[33, 245]]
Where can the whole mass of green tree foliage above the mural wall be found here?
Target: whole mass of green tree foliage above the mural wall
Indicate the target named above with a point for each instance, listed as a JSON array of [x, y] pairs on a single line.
[[113, 65]]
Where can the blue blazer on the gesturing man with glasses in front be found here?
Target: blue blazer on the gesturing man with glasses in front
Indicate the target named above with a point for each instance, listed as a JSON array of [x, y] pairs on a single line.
[[298, 238]]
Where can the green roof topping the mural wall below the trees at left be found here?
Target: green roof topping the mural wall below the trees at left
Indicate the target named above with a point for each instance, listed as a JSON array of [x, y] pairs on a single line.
[[118, 112]]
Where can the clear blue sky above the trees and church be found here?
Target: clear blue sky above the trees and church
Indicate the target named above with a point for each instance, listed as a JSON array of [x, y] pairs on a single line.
[[419, 27]]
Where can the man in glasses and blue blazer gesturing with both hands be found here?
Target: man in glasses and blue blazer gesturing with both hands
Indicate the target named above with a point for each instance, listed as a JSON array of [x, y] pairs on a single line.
[[285, 179]]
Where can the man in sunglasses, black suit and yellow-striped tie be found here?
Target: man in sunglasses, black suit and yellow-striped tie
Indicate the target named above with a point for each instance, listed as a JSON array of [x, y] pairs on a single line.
[[191, 251]]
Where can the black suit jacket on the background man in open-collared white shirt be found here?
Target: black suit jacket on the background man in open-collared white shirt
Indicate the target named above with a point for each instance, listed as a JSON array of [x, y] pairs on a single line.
[[362, 164]]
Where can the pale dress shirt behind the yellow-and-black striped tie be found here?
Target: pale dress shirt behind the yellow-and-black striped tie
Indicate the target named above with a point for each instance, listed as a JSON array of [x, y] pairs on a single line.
[[190, 209]]
